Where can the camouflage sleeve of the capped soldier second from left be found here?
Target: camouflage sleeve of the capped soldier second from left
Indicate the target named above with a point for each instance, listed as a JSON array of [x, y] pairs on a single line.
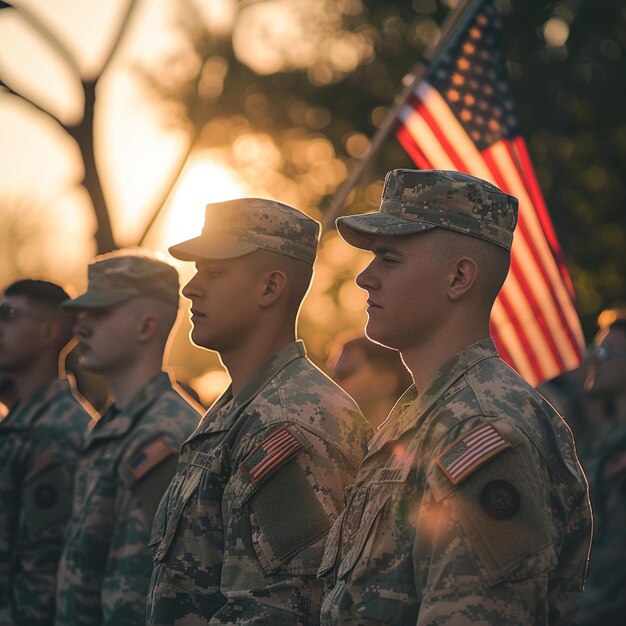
[[144, 478]]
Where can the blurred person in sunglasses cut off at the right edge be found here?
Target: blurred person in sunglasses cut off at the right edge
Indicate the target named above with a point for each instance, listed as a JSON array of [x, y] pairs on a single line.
[[604, 601]]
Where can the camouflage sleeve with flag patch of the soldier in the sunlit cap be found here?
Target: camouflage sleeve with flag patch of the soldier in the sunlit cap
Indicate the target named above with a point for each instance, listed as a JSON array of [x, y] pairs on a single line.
[[283, 499]]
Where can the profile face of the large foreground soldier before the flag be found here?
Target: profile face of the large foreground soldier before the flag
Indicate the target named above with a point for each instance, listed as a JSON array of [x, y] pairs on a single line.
[[407, 290]]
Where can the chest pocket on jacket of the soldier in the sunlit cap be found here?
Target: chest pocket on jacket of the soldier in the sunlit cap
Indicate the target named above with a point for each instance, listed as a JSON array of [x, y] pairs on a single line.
[[202, 467]]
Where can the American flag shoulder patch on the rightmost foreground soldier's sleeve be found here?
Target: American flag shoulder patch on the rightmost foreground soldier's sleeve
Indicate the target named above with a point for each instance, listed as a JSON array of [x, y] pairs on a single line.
[[469, 452]]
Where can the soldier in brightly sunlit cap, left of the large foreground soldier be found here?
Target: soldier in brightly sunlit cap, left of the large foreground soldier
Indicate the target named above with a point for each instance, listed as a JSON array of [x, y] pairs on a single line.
[[239, 534]]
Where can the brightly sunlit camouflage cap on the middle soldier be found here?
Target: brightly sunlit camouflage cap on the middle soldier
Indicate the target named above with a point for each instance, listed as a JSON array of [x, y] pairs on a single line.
[[238, 227]]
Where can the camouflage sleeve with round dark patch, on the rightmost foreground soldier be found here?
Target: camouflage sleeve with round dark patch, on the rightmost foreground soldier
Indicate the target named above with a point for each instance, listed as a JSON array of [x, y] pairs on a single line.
[[494, 519]]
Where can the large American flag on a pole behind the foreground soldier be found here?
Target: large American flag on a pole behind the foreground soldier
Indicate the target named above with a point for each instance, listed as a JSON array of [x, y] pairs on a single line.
[[461, 117]]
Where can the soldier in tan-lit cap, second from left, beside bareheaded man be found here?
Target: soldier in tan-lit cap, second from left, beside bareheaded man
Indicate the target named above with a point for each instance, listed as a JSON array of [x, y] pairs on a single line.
[[125, 318]]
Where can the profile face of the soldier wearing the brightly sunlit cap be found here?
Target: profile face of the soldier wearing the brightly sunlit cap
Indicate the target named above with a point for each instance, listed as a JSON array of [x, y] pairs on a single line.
[[223, 296]]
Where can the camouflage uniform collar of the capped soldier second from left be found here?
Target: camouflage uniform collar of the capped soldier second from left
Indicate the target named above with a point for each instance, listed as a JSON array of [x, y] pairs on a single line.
[[117, 422]]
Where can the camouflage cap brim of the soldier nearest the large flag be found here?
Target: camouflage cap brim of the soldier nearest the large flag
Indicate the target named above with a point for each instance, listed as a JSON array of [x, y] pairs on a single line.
[[360, 230]]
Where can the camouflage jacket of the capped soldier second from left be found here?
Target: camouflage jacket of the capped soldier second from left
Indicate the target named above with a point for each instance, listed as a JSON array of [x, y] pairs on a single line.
[[127, 462]]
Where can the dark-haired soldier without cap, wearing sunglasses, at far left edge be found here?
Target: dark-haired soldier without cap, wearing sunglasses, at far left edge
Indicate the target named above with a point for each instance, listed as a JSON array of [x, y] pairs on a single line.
[[39, 442]]
